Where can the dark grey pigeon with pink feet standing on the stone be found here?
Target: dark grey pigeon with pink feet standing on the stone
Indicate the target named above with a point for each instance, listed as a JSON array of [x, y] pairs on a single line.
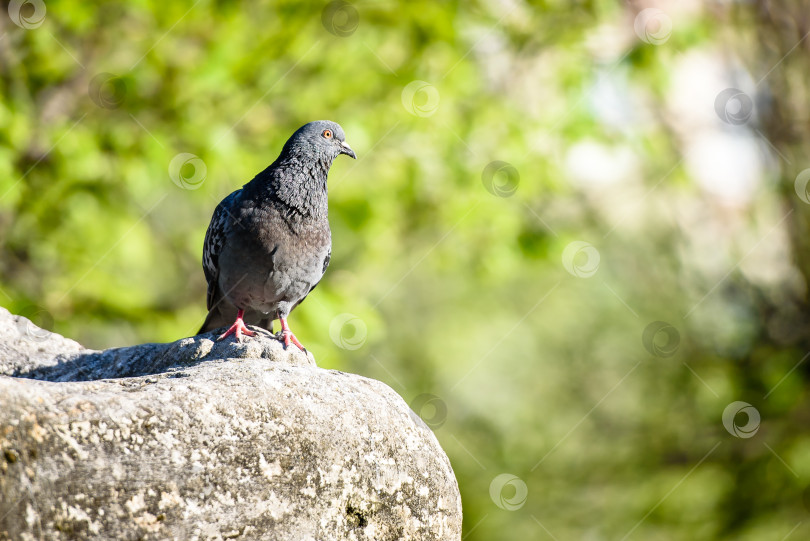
[[269, 243]]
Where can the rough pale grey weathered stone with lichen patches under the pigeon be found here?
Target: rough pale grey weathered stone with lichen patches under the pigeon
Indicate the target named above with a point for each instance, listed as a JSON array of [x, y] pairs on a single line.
[[205, 440]]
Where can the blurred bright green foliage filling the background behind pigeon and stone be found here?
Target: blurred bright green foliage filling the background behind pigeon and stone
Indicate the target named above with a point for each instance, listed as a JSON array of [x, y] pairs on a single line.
[[458, 298]]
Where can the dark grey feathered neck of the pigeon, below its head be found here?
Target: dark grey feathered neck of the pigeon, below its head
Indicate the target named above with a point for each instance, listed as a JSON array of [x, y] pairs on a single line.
[[297, 183]]
